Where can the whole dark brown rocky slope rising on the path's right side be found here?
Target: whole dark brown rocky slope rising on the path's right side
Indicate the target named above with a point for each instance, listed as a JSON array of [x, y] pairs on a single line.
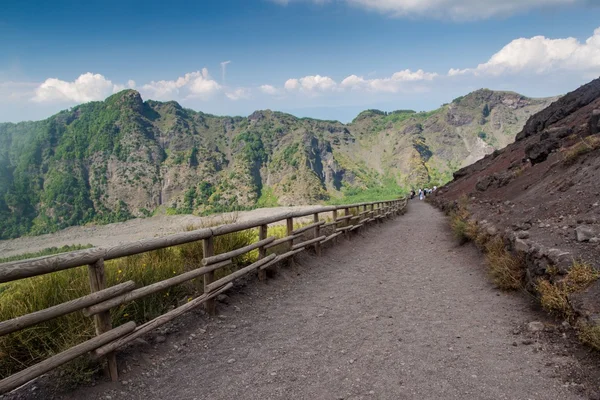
[[541, 195]]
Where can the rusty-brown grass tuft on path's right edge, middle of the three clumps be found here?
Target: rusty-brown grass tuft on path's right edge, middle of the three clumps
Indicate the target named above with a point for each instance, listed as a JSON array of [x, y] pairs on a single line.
[[506, 270]]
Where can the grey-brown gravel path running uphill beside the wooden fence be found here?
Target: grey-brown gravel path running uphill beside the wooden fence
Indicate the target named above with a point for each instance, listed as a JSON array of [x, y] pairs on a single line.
[[403, 313]]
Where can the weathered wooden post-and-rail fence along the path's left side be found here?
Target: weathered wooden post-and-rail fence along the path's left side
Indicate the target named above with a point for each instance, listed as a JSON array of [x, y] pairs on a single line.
[[101, 299]]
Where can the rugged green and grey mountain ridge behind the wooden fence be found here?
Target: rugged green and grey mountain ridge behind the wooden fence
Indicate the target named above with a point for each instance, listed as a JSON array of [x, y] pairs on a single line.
[[123, 157]]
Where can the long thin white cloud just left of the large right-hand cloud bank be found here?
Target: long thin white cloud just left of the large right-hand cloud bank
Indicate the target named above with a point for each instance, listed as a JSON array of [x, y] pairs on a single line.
[[396, 83]]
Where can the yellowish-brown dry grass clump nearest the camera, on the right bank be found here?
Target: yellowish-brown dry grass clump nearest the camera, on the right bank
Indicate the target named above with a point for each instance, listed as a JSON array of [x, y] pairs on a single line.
[[554, 296]]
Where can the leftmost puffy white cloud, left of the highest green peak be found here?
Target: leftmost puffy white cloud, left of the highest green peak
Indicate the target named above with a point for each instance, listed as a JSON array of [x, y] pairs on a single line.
[[86, 87]]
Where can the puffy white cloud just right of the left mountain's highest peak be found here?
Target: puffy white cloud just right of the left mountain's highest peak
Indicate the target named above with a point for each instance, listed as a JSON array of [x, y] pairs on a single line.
[[196, 84]]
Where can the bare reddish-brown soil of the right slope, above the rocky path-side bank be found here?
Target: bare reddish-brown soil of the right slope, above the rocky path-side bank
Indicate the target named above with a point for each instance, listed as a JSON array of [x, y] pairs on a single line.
[[551, 197]]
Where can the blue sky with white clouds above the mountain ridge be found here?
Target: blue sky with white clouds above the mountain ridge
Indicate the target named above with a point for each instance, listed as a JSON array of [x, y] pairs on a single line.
[[322, 58]]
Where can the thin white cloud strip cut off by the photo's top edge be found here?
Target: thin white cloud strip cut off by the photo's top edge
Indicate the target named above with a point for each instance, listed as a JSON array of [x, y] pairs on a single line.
[[449, 9]]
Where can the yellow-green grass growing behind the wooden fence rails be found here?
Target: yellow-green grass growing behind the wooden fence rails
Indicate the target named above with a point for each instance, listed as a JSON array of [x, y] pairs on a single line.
[[29, 346]]
